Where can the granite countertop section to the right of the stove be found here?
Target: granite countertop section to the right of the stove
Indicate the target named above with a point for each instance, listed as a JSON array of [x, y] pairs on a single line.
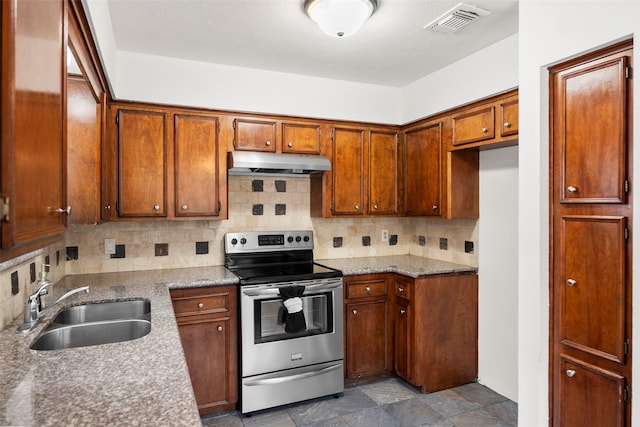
[[407, 265]]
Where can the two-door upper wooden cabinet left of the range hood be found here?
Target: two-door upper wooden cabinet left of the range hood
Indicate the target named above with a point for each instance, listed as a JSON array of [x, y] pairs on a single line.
[[166, 164]]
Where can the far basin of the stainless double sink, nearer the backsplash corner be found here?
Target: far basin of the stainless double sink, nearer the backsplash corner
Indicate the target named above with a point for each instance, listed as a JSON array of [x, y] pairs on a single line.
[[134, 309]]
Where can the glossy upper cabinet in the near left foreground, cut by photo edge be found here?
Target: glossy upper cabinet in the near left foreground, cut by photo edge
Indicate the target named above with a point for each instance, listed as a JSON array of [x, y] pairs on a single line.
[[34, 41]]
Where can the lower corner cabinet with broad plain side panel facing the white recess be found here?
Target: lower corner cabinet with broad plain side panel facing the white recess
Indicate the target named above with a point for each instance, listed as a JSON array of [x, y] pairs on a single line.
[[436, 330]]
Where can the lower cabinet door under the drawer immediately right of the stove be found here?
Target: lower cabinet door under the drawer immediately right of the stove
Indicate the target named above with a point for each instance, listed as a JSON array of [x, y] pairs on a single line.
[[366, 339]]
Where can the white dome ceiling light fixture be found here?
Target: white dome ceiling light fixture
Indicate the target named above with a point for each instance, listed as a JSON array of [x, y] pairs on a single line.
[[340, 18]]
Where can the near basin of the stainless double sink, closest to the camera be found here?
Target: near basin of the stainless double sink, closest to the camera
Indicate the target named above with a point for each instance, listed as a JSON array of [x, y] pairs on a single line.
[[57, 337]]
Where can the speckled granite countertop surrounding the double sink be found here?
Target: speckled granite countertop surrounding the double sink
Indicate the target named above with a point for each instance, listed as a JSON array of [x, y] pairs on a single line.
[[139, 382]]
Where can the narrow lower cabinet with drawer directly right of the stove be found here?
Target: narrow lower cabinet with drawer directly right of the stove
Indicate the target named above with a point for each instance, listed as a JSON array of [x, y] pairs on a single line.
[[367, 327]]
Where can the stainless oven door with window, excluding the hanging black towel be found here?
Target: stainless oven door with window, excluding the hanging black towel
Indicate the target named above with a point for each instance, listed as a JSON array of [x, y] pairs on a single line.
[[267, 347]]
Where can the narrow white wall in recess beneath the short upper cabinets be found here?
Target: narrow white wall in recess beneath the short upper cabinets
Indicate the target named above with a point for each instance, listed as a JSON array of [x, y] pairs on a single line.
[[498, 272]]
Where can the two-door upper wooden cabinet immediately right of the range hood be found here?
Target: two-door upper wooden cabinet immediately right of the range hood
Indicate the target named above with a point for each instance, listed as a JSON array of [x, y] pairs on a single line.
[[364, 176]]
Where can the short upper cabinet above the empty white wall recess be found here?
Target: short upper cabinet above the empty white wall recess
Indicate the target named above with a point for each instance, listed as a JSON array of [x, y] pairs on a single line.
[[490, 123]]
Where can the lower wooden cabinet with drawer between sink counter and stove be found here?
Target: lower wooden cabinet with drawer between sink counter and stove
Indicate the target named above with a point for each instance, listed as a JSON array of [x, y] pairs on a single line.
[[207, 321]]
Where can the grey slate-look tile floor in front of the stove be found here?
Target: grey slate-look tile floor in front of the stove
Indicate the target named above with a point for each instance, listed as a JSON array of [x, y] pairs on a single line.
[[385, 403]]
